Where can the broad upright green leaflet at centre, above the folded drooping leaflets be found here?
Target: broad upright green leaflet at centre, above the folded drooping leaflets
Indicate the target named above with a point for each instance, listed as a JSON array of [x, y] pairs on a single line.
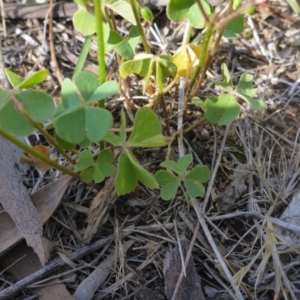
[[146, 131]]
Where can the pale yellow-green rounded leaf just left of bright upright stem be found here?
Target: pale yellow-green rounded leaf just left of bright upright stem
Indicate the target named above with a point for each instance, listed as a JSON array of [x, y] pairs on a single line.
[[84, 22]]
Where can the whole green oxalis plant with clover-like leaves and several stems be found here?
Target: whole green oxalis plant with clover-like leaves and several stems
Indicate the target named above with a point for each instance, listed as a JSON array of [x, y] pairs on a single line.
[[82, 119]]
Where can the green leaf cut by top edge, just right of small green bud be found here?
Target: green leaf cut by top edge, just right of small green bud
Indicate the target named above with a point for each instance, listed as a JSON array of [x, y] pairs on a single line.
[[177, 10]]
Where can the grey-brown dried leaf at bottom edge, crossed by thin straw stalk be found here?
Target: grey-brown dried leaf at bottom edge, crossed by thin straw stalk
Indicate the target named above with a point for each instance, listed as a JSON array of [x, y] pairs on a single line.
[[190, 287]]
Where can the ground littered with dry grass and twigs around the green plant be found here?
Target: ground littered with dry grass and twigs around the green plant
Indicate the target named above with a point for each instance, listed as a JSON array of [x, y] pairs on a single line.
[[240, 242]]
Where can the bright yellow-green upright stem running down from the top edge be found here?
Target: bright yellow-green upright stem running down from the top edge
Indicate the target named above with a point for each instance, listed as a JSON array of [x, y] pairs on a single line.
[[100, 40]]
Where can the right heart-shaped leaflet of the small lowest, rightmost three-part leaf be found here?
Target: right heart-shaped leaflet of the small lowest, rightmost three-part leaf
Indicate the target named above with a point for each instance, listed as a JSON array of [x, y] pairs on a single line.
[[193, 181]]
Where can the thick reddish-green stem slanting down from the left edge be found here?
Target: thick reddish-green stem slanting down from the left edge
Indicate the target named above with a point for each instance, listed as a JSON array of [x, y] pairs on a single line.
[[38, 155]]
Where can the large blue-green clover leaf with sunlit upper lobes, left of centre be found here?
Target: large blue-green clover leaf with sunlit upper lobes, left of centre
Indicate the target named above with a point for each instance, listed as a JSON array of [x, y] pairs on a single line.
[[80, 119]]
